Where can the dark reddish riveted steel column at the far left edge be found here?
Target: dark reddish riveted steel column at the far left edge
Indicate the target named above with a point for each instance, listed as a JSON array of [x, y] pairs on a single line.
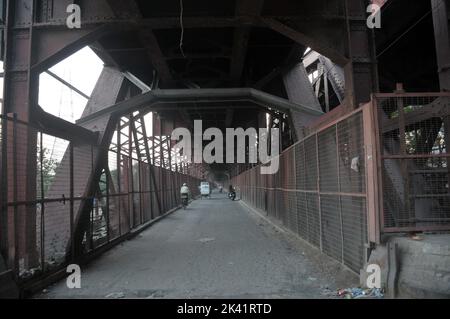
[[20, 97]]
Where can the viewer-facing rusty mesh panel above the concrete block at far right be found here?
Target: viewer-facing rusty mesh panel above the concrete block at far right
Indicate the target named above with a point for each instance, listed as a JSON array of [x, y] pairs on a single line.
[[414, 141]]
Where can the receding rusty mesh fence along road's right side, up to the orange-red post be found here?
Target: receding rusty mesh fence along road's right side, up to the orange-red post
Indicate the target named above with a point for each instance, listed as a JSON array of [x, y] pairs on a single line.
[[320, 191]]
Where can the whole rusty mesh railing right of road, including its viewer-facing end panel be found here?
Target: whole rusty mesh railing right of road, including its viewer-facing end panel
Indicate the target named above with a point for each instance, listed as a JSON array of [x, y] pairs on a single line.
[[381, 169]]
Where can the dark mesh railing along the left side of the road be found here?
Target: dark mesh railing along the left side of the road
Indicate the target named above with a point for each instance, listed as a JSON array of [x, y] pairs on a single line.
[[44, 188]]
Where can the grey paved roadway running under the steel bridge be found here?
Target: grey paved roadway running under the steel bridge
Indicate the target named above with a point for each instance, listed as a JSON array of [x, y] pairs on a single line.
[[215, 248]]
